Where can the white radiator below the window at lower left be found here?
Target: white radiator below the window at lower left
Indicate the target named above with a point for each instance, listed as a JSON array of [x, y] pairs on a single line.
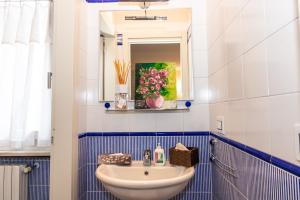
[[13, 182]]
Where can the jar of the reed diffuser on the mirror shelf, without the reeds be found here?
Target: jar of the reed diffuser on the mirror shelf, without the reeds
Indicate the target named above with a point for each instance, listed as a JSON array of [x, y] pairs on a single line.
[[121, 97]]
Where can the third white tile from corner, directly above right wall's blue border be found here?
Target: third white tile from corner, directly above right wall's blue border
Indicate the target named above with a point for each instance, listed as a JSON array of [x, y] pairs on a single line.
[[257, 130]]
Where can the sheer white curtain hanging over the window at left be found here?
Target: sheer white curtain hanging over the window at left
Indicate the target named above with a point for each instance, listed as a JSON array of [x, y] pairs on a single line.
[[25, 59]]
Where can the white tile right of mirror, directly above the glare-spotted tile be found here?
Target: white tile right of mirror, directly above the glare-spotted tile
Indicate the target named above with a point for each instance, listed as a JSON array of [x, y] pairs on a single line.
[[200, 64]]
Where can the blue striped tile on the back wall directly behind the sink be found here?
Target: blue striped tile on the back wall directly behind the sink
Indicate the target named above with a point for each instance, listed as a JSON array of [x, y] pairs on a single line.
[[93, 144]]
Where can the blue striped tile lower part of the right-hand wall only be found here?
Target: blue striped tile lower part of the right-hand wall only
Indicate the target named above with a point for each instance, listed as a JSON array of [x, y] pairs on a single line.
[[253, 179]]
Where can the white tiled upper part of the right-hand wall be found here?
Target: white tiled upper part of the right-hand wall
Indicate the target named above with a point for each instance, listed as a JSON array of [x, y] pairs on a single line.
[[253, 65]]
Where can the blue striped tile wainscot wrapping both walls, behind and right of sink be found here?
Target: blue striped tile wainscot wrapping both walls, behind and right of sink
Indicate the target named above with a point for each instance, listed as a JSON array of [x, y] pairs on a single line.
[[255, 175]]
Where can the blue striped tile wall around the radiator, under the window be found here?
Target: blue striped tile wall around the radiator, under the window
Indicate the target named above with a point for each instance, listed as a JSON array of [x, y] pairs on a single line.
[[38, 180]]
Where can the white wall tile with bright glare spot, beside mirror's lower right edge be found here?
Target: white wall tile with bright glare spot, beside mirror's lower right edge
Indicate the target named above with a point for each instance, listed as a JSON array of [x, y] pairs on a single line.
[[201, 90]]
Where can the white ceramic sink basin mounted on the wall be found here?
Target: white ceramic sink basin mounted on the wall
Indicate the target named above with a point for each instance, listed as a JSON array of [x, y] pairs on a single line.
[[137, 182]]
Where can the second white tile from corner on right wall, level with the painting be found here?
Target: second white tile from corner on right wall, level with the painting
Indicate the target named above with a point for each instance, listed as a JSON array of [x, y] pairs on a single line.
[[235, 79]]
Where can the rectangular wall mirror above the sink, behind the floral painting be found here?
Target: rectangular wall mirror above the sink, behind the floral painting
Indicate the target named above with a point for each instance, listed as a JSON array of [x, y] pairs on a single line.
[[141, 37]]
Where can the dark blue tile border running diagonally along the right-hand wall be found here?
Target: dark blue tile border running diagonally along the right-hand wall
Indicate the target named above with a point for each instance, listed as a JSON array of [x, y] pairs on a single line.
[[292, 168]]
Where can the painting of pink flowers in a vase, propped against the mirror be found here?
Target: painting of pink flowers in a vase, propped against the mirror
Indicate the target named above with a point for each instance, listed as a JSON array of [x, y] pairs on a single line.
[[155, 85]]
